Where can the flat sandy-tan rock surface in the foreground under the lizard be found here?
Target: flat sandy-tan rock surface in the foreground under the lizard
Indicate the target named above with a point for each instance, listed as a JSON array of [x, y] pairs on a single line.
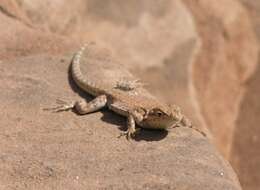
[[44, 150]]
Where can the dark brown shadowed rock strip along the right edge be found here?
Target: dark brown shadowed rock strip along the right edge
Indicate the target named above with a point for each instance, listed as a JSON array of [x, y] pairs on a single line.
[[245, 155]]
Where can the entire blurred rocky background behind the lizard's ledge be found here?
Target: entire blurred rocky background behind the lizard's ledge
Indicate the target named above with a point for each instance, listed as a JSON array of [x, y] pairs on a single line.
[[205, 53]]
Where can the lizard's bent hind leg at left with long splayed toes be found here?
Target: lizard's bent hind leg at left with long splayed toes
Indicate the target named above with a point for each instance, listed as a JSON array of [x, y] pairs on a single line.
[[82, 107]]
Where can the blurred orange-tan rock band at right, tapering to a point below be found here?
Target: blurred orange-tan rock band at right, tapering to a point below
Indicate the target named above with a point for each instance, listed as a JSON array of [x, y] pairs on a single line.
[[227, 59]]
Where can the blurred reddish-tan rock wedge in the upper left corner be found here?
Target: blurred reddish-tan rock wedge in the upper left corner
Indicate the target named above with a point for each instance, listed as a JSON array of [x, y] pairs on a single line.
[[18, 38]]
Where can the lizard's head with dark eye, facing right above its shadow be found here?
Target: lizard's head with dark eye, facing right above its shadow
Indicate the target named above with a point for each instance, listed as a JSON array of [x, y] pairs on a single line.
[[162, 118]]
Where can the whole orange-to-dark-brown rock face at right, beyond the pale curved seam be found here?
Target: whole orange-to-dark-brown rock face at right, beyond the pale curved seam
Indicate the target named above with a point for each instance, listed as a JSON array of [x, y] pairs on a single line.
[[230, 97]]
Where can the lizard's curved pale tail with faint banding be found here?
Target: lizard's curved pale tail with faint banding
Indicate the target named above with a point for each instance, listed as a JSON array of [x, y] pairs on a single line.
[[82, 81]]
